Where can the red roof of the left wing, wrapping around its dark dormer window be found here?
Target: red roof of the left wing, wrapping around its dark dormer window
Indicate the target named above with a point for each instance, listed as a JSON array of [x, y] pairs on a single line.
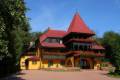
[[53, 34]]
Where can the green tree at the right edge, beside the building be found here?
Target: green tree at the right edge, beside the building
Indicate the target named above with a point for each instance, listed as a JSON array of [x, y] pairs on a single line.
[[111, 41]]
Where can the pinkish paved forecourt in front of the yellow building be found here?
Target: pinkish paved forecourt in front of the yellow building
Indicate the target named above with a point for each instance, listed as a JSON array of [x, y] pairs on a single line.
[[44, 75]]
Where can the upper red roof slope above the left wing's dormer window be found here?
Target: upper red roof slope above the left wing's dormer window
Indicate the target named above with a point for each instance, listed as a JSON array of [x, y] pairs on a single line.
[[52, 33]]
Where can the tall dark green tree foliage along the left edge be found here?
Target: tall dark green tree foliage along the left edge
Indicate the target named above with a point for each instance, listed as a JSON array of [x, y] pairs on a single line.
[[14, 34]]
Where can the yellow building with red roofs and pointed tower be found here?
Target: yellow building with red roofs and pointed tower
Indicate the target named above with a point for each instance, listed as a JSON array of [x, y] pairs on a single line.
[[61, 49]]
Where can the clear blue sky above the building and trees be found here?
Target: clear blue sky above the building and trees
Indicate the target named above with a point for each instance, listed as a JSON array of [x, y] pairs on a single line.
[[99, 15]]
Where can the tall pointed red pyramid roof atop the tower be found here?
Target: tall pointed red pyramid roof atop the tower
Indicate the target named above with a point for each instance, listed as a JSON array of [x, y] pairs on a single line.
[[77, 25]]
